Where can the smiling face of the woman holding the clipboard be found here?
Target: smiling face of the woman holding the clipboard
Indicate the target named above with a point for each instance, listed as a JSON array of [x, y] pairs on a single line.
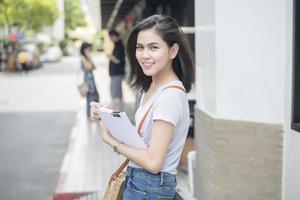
[[152, 53]]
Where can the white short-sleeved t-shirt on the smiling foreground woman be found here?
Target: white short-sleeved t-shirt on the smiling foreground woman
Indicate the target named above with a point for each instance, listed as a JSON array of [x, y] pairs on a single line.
[[171, 105]]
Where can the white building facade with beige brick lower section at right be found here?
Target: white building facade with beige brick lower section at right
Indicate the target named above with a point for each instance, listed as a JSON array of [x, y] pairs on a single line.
[[245, 147]]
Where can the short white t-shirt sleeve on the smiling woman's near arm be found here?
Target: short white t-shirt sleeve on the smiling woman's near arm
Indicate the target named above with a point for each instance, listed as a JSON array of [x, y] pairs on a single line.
[[169, 106]]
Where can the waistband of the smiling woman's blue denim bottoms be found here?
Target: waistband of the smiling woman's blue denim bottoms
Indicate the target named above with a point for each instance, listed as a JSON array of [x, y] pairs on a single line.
[[141, 173]]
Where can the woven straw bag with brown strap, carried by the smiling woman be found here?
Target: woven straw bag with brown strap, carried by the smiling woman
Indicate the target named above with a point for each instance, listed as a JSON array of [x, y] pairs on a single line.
[[115, 186]]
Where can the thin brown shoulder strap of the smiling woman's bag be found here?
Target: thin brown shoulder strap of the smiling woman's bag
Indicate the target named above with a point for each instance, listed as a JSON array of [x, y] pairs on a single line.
[[125, 163]]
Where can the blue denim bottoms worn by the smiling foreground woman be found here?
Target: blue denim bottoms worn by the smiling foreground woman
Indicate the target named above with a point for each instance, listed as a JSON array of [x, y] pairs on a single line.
[[142, 185]]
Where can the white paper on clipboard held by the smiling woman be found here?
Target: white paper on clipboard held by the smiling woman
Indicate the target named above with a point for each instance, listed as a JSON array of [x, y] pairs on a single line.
[[121, 128]]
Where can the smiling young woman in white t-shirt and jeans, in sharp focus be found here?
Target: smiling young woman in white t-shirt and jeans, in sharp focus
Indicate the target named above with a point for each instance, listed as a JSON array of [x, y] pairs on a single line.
[[162, 67]]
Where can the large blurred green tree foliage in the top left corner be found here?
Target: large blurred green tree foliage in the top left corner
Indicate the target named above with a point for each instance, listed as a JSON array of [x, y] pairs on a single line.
[[28, 14]]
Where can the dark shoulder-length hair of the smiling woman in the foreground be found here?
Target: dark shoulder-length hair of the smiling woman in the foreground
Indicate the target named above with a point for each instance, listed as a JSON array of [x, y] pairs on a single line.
[[170, 32]]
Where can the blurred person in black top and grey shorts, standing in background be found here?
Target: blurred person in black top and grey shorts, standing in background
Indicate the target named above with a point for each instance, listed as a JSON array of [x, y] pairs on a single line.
[[116, 70]]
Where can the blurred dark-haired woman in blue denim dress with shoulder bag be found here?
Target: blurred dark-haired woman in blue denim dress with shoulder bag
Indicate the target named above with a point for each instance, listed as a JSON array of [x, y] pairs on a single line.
[[88, 66]]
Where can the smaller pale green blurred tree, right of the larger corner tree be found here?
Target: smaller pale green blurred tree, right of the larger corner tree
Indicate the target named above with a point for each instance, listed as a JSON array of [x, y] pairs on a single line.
[[74, 16]]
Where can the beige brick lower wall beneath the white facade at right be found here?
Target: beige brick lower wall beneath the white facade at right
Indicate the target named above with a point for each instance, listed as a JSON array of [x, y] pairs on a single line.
[[237, 160]]
